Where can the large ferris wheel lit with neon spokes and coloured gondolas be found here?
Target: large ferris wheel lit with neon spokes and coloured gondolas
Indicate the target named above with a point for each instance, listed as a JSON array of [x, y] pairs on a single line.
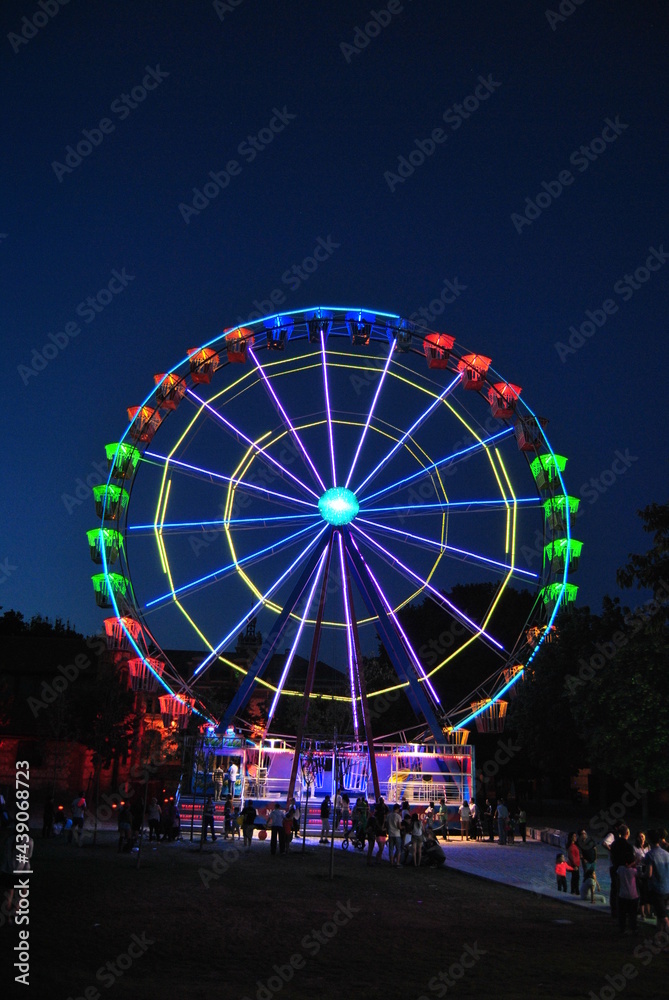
[[316, 474]]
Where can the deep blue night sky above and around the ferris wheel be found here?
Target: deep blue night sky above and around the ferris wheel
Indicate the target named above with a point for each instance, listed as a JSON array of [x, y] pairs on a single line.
[[512, 160]]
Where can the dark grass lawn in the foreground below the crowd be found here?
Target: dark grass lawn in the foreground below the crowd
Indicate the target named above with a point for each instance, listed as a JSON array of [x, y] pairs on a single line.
[[215, 923]]
